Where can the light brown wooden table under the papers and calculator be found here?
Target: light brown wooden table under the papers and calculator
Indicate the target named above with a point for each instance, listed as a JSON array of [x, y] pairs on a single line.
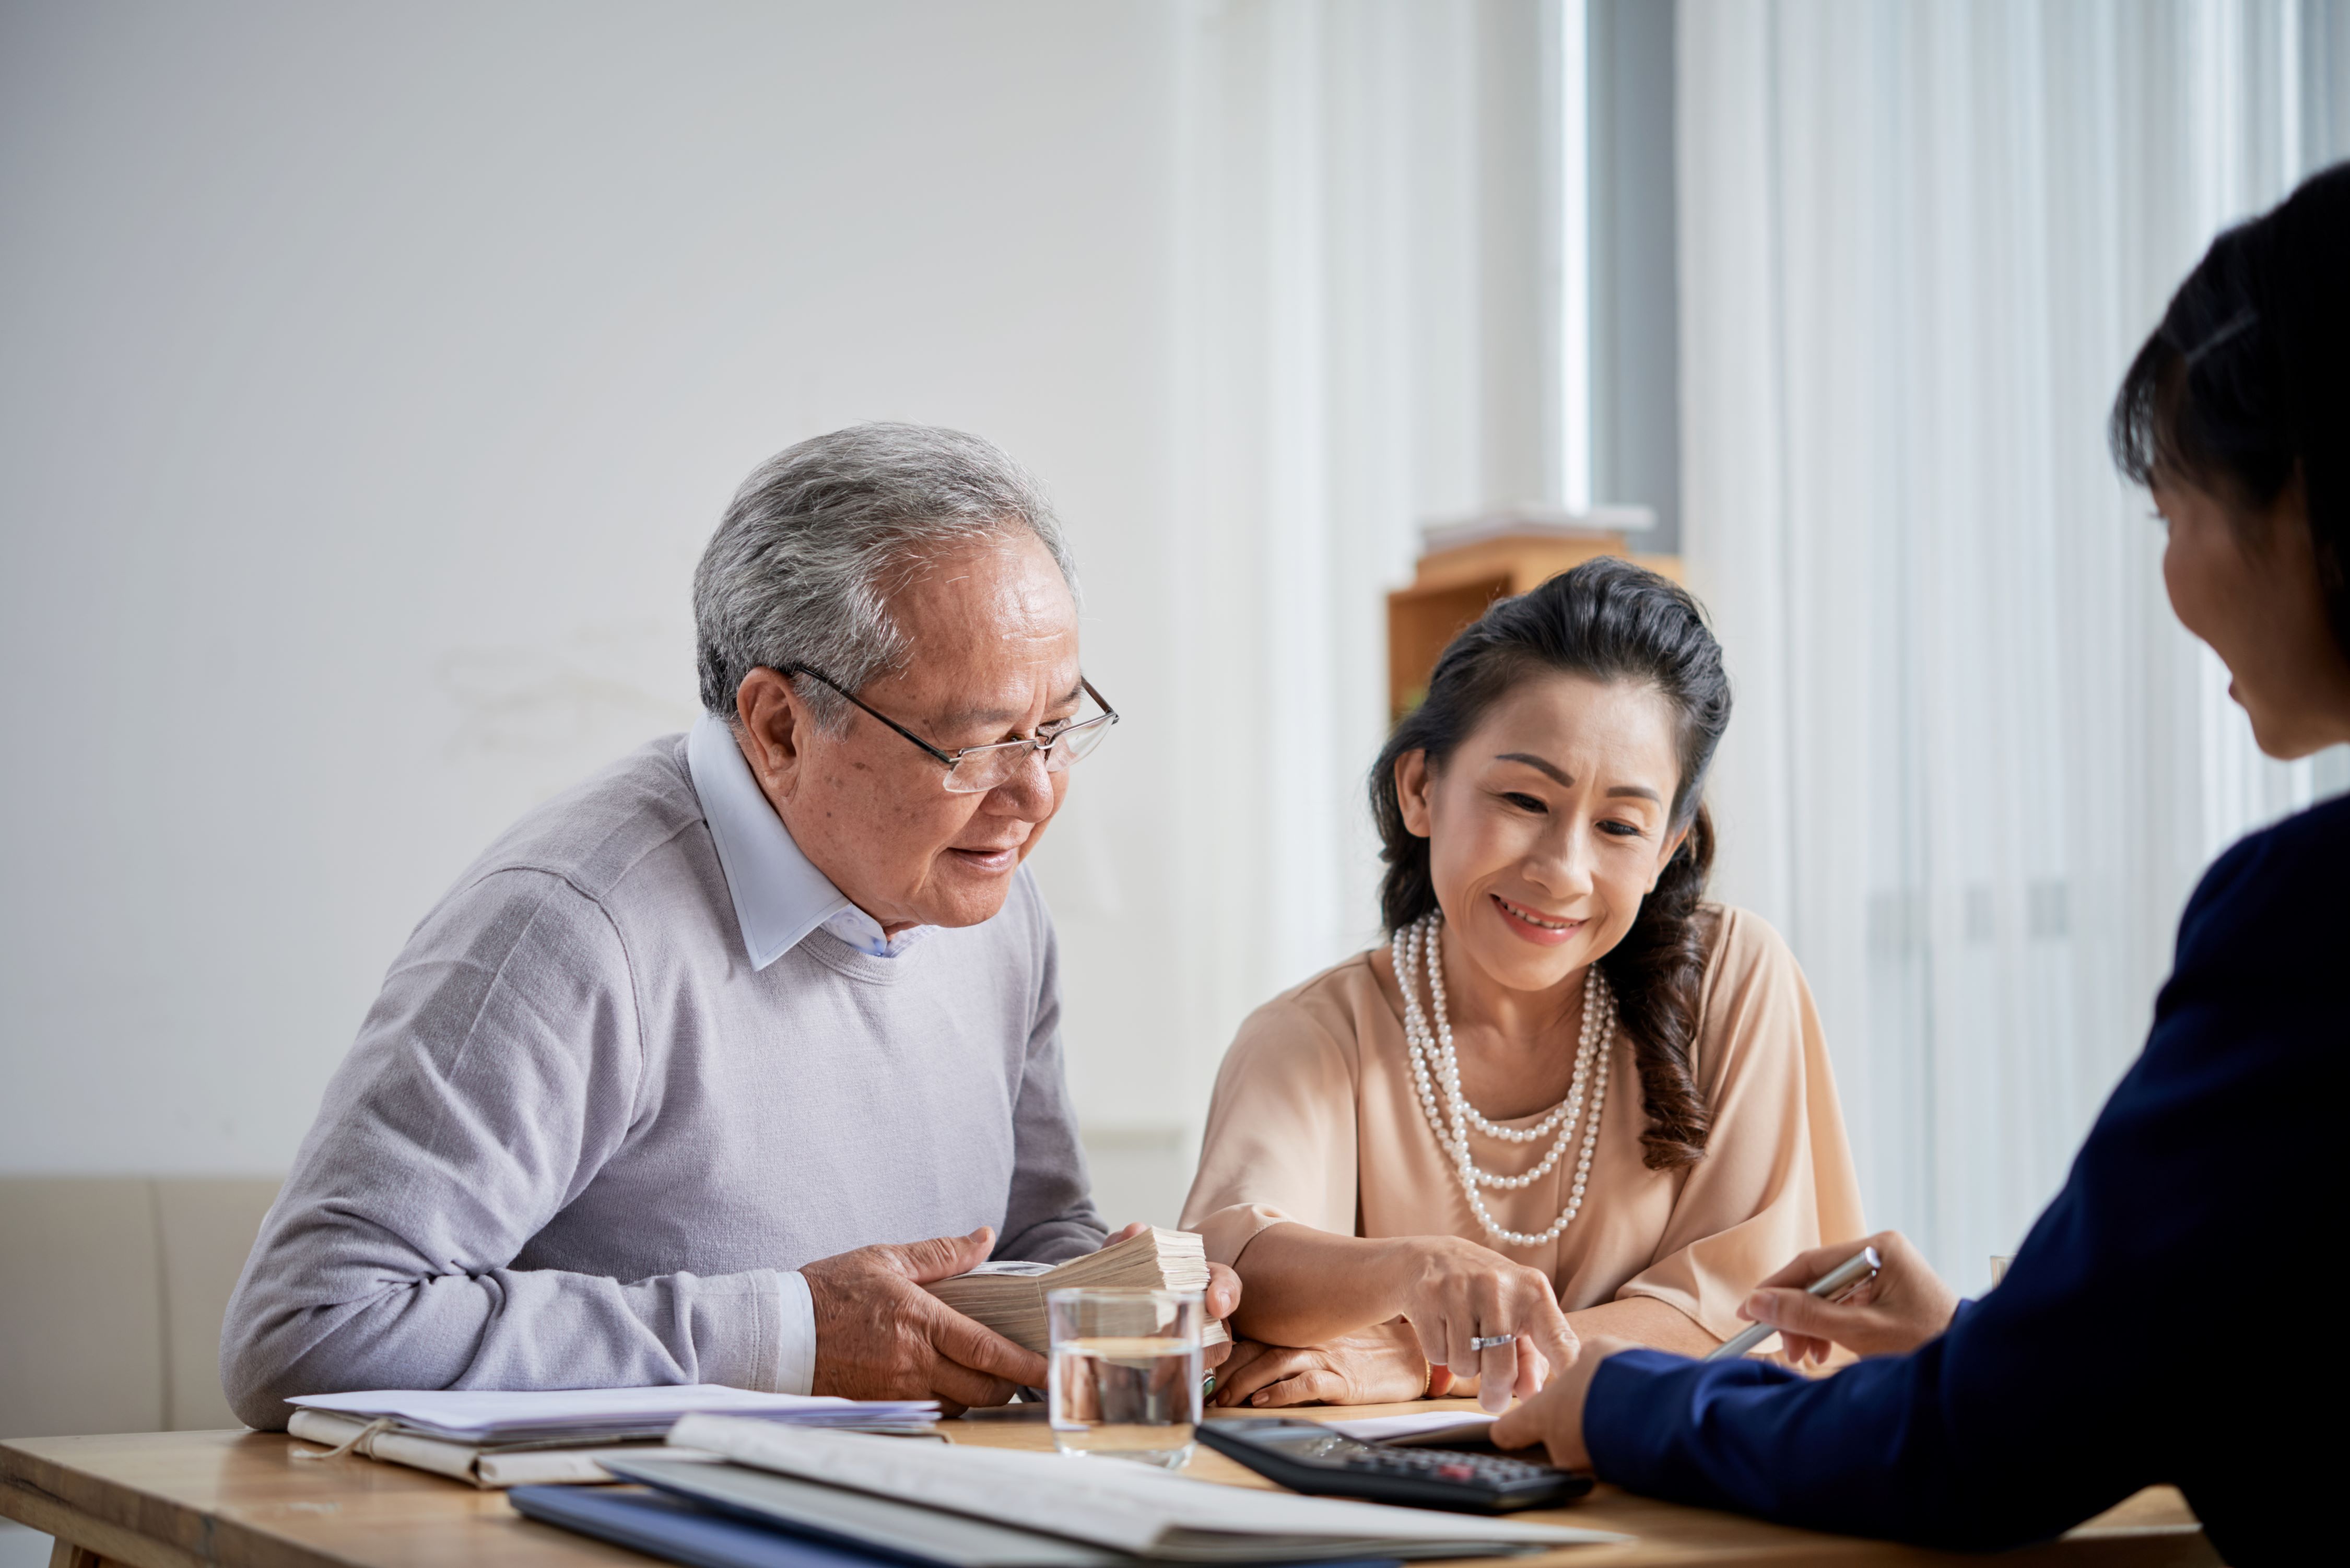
[[239, 1499]]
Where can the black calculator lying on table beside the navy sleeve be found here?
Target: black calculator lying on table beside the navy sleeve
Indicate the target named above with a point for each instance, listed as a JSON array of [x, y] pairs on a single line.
[[1312, 1459]]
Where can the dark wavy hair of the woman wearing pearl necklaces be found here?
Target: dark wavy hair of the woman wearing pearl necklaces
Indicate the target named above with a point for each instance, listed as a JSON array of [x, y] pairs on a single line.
[[1609, 622]]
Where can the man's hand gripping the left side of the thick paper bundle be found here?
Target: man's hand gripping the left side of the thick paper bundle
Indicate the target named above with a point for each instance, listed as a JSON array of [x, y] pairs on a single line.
[[882, 1336]]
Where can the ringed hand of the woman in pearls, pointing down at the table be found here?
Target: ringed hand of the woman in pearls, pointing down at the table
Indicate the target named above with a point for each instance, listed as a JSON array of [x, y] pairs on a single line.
[[1456, 1292]]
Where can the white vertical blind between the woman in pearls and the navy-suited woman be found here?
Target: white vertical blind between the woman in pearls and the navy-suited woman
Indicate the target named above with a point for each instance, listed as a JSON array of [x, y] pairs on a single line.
[[1975, 768]]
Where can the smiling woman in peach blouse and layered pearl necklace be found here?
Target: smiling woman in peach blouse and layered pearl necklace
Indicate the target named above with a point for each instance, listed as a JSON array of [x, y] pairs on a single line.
[[1571, 1097]]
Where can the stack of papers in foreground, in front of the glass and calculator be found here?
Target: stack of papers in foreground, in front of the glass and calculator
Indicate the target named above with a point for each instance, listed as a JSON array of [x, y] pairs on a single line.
[[993, 1506]]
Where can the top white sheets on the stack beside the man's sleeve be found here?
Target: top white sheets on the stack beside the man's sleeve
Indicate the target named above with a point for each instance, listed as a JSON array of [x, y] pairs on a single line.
[[485, 1416]]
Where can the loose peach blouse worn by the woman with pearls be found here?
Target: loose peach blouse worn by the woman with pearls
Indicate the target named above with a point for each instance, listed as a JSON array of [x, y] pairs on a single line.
[[1315, 1120]]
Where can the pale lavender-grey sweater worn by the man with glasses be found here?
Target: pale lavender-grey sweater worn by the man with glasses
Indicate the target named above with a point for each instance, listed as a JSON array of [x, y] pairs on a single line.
[[579, 1134]]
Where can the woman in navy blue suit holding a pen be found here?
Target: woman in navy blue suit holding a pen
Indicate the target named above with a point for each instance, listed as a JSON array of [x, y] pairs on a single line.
[[2166, 1322]]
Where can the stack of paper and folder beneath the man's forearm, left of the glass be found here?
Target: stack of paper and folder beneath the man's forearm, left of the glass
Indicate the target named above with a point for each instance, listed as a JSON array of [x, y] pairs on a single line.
[[499, 1440]]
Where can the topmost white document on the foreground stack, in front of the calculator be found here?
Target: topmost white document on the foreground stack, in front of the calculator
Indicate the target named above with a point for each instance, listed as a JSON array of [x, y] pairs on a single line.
[[1113, 1503]]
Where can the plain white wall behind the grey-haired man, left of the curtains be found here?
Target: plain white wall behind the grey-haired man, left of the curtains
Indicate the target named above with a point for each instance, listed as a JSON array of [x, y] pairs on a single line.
[[372, 380]]
